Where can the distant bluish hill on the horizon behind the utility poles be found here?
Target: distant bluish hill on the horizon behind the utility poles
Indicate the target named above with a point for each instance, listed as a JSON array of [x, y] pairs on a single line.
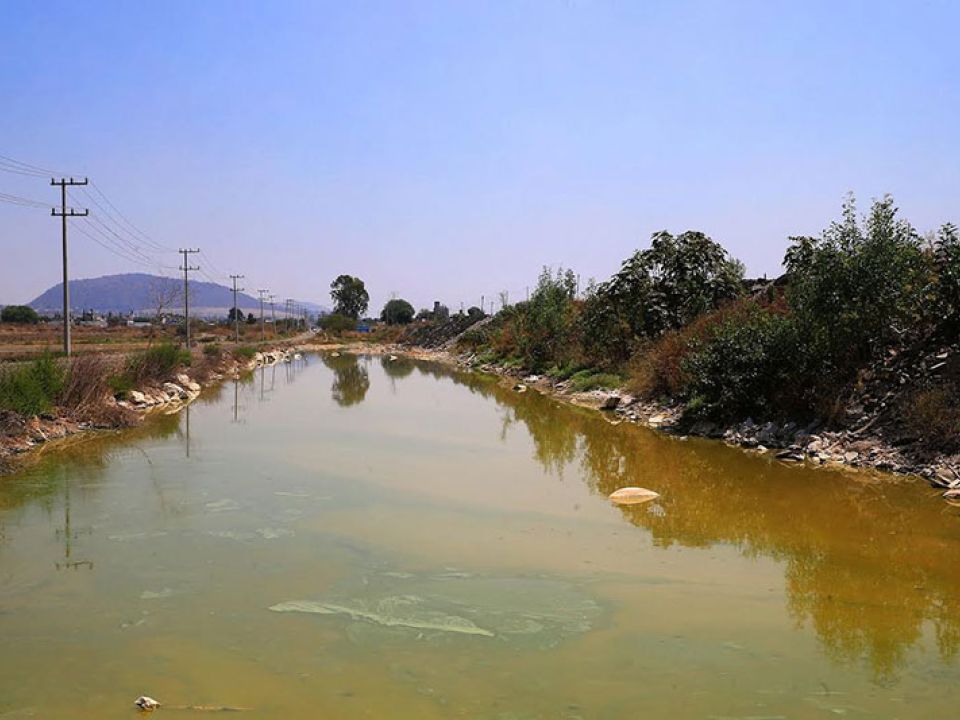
[[136, 292]]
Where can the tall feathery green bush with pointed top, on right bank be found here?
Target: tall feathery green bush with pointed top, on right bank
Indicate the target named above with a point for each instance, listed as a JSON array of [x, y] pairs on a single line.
[[858, 288]]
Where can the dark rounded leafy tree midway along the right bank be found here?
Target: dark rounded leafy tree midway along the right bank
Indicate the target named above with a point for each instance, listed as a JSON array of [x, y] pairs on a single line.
[[665, 287]]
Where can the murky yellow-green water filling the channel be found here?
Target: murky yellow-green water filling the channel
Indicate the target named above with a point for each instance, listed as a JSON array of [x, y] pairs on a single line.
[[353, 538]]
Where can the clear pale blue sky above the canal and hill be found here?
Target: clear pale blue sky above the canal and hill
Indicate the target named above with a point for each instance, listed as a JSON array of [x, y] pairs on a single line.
[[450, 150]]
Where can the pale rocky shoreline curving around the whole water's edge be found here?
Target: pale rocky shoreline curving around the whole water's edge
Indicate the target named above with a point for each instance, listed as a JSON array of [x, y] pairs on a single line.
[[788, 443]]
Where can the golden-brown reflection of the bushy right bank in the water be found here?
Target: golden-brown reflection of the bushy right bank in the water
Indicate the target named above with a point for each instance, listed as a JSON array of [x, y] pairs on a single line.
[[867, 563]]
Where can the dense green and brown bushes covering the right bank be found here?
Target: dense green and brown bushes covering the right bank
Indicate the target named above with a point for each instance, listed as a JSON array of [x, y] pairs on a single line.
[[678, 321]]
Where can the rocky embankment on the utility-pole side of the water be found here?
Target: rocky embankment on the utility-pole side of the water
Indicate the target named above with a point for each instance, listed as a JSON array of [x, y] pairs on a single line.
[[21, 435]]
